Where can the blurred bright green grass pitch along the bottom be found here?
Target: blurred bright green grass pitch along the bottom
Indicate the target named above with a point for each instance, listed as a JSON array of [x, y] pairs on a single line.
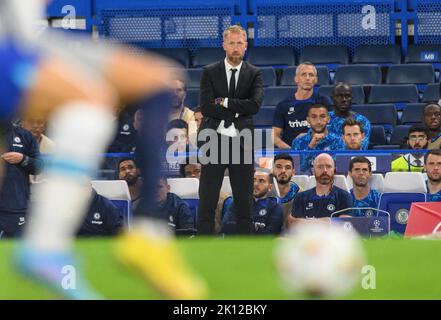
[[242, 268]]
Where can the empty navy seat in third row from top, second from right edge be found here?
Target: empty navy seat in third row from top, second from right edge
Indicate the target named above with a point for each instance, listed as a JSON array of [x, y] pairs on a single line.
[[399, 94]]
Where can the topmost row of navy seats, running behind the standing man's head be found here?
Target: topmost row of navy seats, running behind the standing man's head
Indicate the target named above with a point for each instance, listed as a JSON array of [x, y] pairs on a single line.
[[325, 55]]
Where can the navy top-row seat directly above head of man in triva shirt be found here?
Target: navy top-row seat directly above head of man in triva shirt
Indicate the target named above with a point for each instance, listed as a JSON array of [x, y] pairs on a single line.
[[332, 56]]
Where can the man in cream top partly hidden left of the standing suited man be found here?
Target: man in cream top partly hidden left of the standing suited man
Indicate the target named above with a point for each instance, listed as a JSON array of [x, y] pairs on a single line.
[[179, 111]]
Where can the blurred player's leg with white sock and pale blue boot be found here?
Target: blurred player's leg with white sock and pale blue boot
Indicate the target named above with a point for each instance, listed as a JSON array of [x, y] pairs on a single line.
[[81, 125]]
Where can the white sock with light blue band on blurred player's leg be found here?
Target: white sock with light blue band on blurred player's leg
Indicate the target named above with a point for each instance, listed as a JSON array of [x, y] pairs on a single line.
[[81, 132]]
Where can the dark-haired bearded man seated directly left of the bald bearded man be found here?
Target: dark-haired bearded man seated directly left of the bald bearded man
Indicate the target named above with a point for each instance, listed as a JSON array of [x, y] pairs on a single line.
[[283, 170]]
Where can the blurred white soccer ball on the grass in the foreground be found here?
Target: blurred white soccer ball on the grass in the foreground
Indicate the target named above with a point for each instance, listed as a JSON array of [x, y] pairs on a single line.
[[320, 260]]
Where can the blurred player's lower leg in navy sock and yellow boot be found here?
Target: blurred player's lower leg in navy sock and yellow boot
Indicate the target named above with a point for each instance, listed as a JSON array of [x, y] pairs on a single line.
[[150, 248]]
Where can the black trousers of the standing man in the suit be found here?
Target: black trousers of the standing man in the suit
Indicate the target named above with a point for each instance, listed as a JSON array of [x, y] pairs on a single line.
[[241, 179]]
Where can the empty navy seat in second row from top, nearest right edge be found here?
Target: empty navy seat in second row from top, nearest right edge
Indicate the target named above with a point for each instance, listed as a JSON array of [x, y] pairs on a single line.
[[411, 73]]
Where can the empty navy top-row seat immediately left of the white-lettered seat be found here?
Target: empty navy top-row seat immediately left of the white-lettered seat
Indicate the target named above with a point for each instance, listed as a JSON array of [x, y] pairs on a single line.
[[377, 54]]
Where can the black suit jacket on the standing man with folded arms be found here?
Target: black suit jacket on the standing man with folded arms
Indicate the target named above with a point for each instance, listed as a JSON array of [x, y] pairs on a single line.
[[246, 102]]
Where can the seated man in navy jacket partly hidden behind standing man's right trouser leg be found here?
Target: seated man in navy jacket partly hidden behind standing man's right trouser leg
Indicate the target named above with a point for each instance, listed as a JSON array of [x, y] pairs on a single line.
[[267, 216]]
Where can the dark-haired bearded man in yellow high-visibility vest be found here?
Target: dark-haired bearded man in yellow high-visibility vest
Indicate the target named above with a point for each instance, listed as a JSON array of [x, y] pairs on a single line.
[[413, 162]]
